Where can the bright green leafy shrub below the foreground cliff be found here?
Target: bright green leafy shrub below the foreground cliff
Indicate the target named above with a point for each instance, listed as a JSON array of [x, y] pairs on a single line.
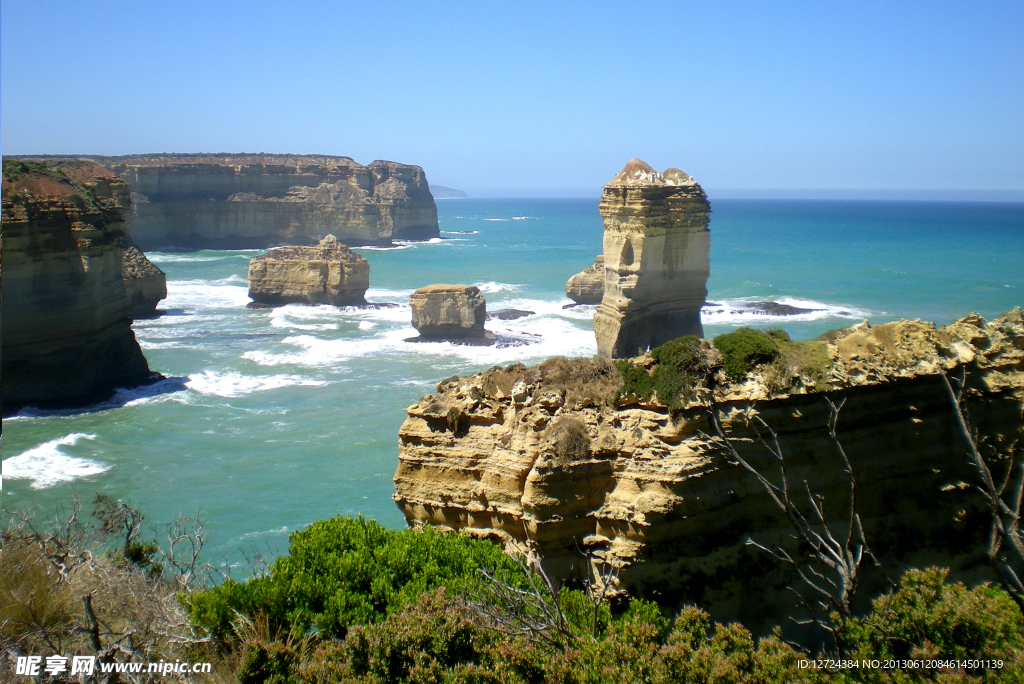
[[346, 572]]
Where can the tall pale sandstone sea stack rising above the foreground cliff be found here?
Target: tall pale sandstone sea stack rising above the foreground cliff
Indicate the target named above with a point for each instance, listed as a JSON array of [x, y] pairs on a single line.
[[657, 260]]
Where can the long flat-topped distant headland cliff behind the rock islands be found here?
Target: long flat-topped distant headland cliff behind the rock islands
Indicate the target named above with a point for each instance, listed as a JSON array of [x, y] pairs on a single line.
[[257, 201]]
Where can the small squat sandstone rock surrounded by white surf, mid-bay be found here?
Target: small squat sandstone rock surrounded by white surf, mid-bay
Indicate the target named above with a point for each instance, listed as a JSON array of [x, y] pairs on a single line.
[[449, 312]]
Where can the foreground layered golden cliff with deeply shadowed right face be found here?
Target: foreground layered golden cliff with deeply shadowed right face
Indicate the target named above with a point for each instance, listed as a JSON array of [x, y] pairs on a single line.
[[556, 457]]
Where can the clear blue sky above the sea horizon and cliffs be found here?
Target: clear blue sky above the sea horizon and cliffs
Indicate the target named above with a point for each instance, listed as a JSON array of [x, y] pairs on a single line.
[[538, 99]]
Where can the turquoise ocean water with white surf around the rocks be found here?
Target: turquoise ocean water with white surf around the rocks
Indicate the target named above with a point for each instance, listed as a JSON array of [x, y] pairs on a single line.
[[273, 419]]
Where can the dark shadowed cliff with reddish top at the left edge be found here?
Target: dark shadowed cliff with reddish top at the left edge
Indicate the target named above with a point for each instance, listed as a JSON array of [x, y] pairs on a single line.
[[67, 331]]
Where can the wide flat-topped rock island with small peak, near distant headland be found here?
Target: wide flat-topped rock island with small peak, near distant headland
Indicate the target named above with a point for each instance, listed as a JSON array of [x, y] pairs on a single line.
[[328, 274]]
